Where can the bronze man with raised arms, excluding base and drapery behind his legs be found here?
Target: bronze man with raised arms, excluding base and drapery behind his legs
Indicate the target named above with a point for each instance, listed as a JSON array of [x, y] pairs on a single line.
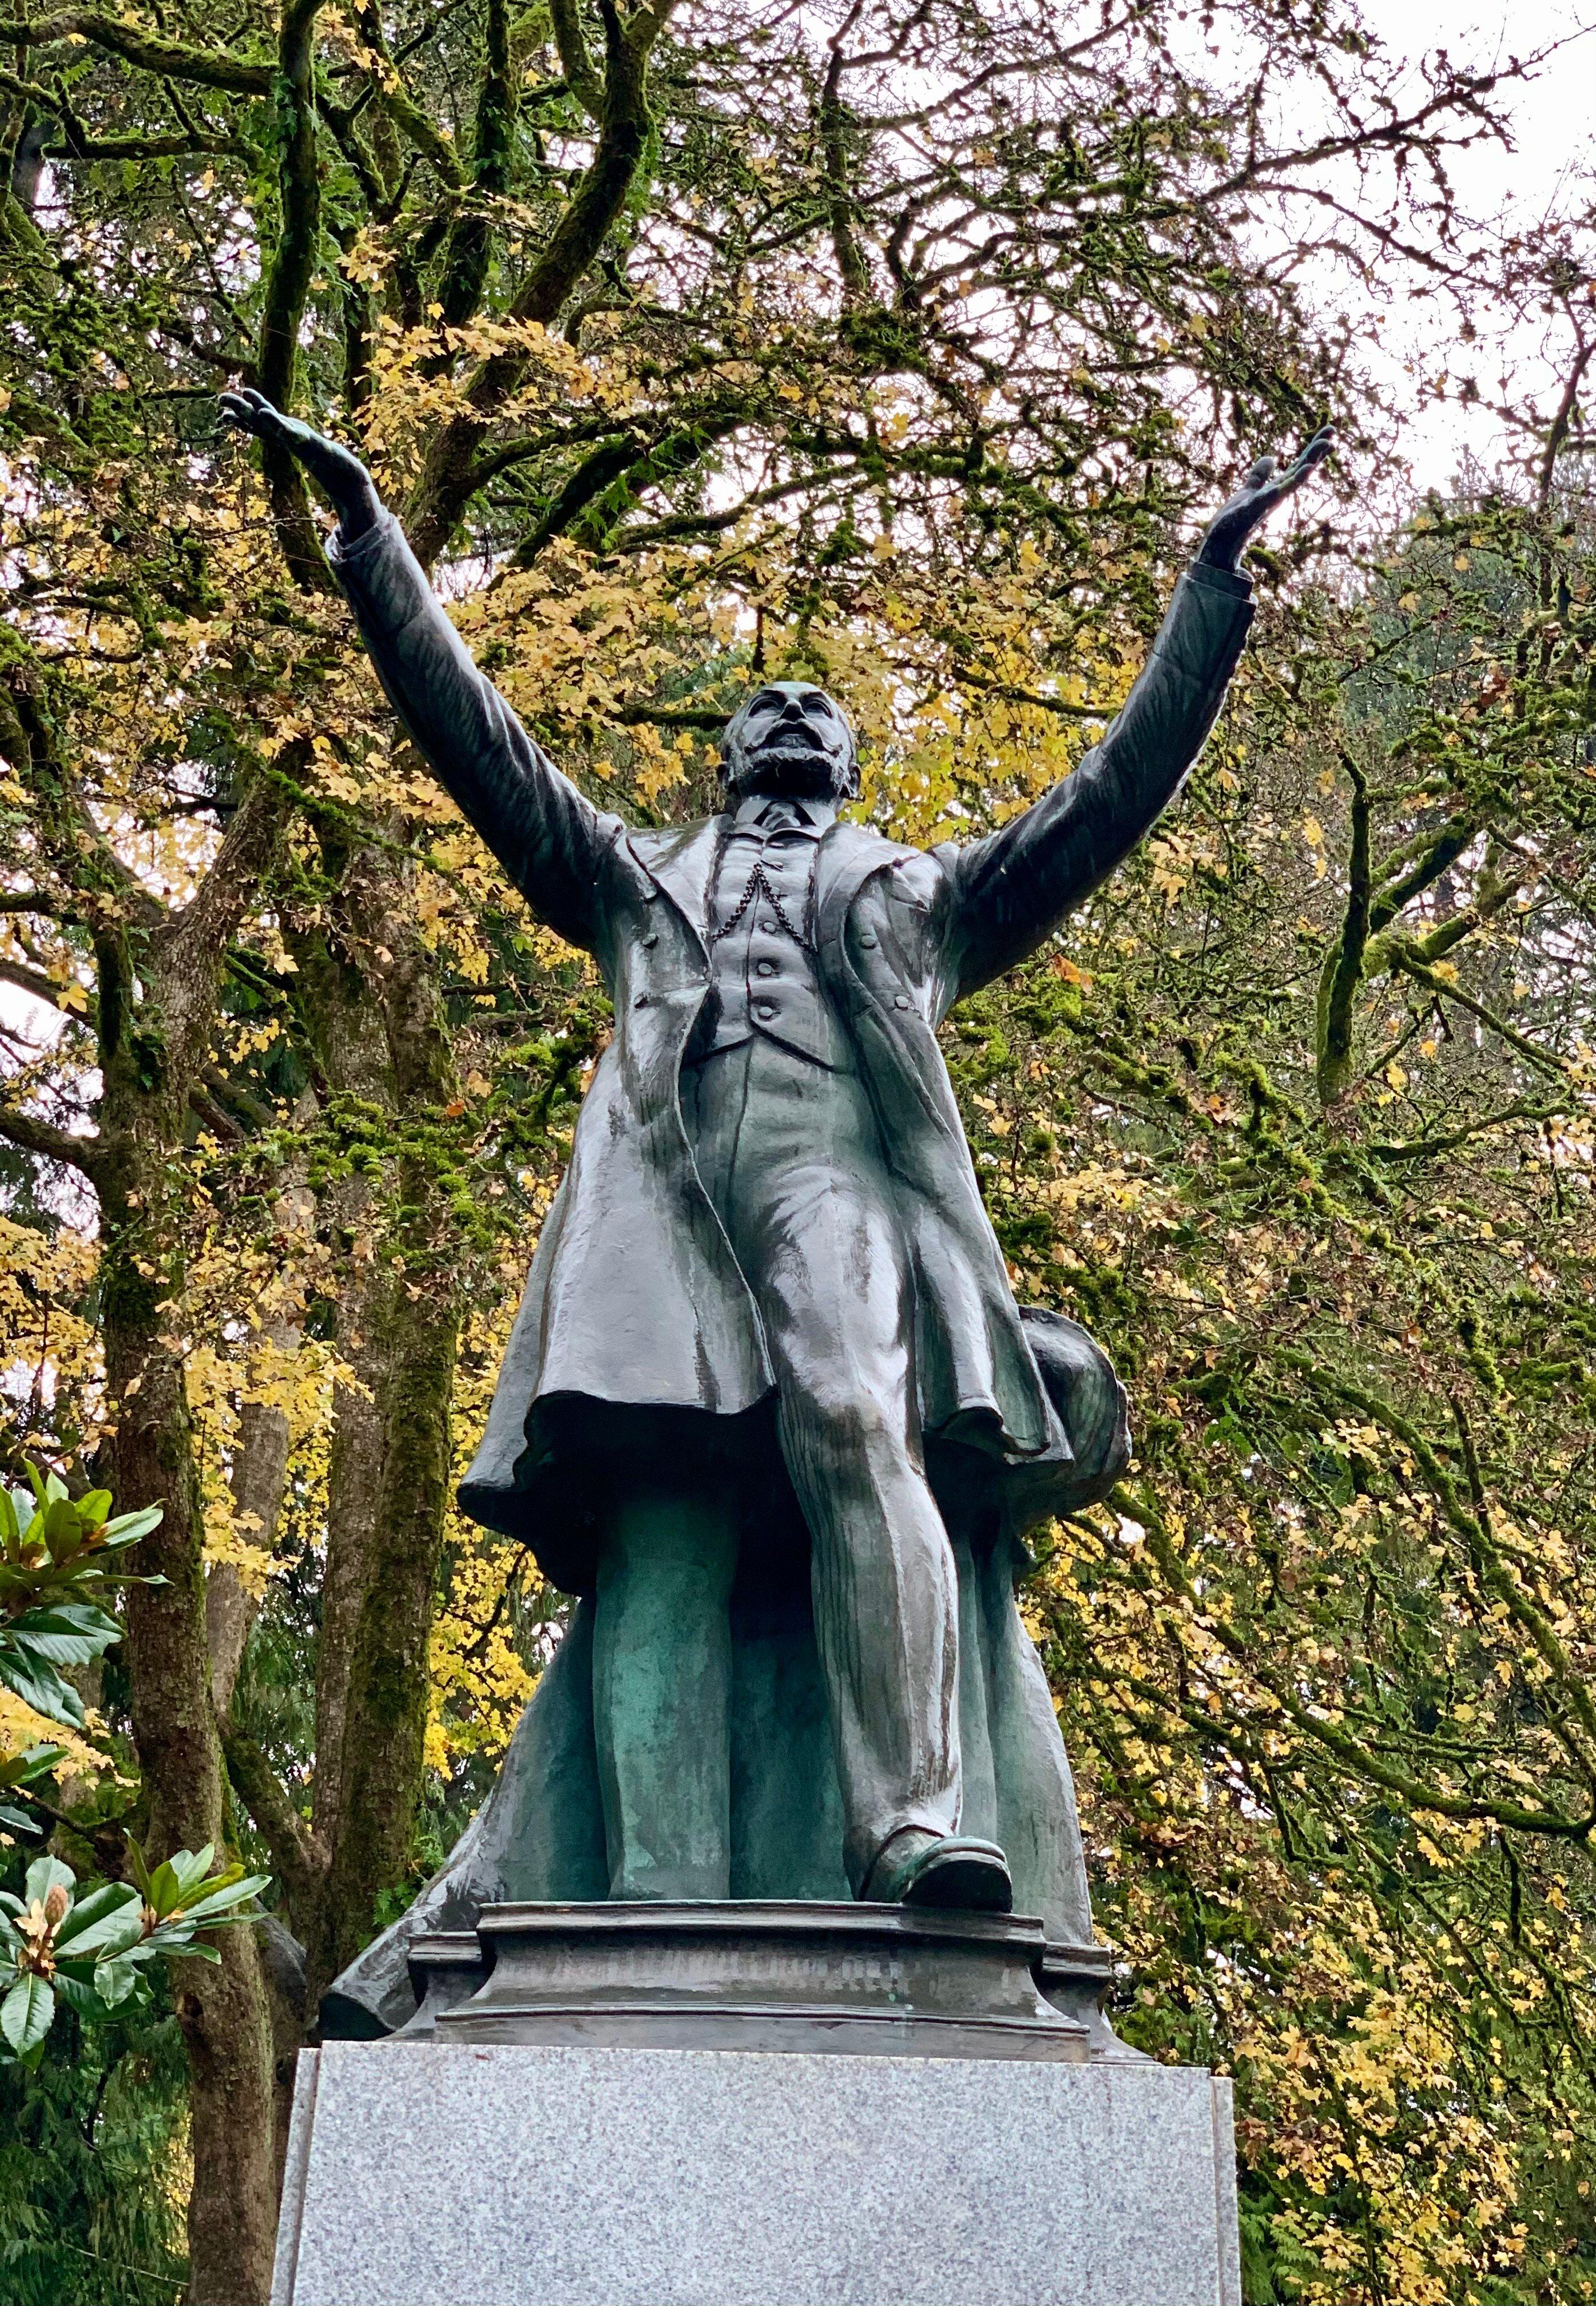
[[769, 1274]]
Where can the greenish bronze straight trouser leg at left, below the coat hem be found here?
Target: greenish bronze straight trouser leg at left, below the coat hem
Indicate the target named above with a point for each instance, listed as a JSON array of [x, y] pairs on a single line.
[[663, 1687]]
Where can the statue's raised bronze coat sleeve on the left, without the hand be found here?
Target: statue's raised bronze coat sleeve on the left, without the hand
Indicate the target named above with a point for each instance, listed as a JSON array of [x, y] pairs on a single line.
[[541, 829]]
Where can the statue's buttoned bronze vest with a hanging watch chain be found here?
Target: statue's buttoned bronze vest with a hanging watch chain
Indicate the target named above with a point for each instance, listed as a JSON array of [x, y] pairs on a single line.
[[762, 963]]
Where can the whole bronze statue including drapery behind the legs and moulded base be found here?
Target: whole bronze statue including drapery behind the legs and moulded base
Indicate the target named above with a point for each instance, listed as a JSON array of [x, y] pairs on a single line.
[[769, 1403]]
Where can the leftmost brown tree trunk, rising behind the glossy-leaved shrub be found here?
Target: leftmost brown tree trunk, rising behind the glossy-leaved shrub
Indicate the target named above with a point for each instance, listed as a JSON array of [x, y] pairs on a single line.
[[158, 1000]]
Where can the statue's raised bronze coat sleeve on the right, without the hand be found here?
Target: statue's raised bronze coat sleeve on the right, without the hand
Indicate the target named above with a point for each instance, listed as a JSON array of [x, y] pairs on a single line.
[[1018, 884]]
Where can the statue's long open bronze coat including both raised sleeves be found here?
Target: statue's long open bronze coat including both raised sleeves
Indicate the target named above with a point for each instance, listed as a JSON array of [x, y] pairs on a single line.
[[635, 1297]]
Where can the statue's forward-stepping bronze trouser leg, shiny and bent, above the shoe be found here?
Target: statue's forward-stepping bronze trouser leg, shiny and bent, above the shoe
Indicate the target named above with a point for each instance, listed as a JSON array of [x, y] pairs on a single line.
[[792, 1163]]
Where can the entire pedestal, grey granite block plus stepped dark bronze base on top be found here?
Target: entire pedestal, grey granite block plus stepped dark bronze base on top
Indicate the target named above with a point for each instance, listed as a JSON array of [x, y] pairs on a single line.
[[647, 2107]]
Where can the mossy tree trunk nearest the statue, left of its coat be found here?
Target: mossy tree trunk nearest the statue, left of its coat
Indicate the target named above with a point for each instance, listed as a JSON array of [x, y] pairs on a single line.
[[377, 1016]]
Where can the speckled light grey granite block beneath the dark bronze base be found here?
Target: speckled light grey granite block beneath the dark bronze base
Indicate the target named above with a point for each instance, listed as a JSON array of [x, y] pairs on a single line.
[[432, 2173]]
